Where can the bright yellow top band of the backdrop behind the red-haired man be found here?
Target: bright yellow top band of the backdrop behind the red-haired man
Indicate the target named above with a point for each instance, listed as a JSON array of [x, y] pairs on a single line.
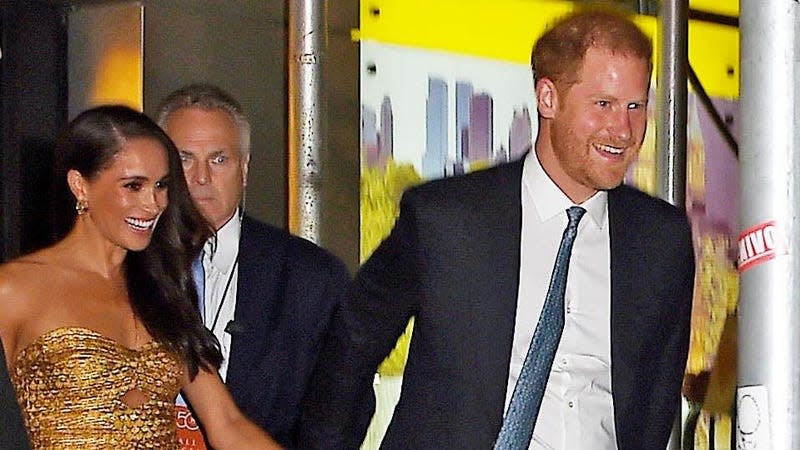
[[507, 29]]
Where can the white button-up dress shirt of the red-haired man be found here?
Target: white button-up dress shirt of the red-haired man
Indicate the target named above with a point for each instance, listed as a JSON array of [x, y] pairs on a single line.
[[577, 409]]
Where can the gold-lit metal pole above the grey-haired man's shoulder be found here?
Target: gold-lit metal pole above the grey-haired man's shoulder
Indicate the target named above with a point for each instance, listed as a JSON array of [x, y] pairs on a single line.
[[307, 38]]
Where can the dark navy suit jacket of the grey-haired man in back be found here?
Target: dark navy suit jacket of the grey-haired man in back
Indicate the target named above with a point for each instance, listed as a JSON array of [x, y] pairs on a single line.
[[287, 291]]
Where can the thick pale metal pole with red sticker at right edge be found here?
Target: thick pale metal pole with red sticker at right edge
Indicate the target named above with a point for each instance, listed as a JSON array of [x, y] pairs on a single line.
[[769, 318]]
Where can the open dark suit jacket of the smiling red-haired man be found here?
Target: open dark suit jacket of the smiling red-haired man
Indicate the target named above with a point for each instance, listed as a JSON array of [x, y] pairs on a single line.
[[452, 261]]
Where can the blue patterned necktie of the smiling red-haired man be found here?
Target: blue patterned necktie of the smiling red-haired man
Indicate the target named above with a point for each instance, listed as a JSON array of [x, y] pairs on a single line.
[[518, 425]]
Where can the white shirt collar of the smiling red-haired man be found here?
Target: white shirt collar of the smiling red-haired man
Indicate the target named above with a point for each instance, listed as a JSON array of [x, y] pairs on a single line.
[[549, 201]]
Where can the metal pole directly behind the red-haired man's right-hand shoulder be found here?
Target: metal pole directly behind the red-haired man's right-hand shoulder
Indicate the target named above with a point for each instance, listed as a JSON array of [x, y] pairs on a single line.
[[671, 120]]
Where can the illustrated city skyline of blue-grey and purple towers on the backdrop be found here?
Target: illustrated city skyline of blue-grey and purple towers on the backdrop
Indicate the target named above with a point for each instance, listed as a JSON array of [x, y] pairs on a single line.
[[473, 146]]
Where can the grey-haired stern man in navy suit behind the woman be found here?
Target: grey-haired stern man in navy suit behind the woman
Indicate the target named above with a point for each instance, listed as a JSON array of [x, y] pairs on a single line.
[[268, 296]]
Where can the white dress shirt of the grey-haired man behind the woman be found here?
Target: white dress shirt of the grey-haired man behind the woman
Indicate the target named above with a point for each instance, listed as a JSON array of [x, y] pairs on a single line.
[[220, 263]]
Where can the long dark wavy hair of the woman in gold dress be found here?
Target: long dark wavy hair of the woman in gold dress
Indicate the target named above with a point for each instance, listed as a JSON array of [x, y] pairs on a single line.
[[160, 285]]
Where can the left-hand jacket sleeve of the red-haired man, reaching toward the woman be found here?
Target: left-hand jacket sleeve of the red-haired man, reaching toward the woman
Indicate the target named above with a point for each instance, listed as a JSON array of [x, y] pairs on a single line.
[[364, 329]]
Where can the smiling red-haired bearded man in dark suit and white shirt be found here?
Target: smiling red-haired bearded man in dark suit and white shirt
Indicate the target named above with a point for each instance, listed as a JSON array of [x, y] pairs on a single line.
[[471, 259]]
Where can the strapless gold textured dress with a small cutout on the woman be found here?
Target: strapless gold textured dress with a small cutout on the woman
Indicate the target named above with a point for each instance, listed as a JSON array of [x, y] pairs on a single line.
[[71, 383]]
